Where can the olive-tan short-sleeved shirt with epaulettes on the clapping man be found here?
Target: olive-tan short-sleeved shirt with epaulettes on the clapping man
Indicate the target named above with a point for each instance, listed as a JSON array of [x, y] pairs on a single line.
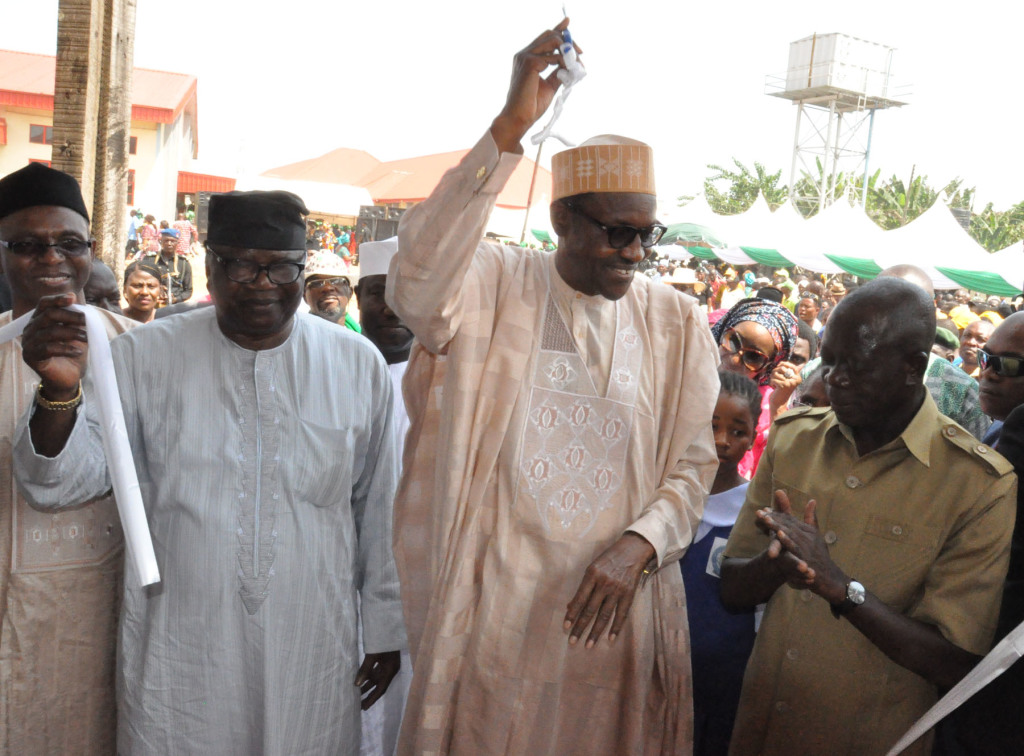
[[924, 524]]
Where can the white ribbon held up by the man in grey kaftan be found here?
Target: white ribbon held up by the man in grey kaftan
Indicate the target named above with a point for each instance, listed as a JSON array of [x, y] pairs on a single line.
[[116, 448]]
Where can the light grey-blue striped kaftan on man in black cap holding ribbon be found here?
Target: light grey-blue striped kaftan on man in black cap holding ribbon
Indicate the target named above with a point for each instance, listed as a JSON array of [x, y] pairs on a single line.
[[269, 479]]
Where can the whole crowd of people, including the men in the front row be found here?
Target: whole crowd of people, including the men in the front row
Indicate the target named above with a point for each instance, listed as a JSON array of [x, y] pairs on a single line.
[[533, 502]]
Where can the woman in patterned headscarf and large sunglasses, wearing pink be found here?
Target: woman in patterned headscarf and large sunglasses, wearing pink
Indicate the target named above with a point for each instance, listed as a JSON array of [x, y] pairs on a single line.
[[756, 339]]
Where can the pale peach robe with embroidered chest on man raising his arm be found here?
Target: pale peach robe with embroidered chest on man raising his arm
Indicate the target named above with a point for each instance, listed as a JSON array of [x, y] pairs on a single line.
[[556, 424]]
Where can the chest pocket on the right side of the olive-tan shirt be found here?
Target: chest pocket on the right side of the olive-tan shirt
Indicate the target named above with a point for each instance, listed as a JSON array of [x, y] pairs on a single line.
[[899, 555]]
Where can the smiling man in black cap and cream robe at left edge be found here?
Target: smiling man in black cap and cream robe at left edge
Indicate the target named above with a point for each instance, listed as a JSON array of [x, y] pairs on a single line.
[[61, 573]]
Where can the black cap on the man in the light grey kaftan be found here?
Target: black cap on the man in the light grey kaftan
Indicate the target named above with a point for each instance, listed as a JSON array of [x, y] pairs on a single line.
[[259, 221]]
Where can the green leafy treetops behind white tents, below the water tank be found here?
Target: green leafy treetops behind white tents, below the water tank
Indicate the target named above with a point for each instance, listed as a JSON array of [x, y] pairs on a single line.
[[891, 203]]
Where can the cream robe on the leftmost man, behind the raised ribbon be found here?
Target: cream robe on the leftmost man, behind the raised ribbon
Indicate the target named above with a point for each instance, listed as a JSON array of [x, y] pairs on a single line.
[[61, 577]]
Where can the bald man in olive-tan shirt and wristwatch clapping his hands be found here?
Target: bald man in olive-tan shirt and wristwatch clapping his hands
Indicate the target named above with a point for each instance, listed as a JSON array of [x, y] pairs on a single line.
[[888, 516]]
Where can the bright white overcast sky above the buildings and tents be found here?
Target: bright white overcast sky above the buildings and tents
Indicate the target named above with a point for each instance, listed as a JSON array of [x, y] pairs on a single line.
[[285, 81]]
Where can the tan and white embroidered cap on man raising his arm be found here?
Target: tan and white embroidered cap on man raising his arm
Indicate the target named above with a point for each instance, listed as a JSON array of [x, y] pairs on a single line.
[[606, 163]]
